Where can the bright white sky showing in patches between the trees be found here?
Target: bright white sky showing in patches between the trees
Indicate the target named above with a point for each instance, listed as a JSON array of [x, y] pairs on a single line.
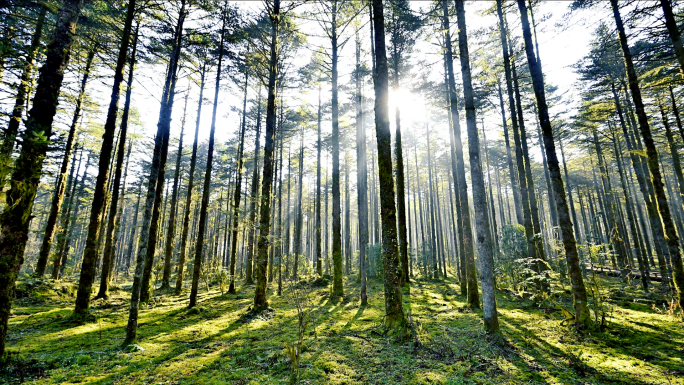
[[562, 42]]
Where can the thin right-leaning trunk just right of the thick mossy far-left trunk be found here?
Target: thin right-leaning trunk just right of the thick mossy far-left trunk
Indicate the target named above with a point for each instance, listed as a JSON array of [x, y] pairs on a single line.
[[58, 195]]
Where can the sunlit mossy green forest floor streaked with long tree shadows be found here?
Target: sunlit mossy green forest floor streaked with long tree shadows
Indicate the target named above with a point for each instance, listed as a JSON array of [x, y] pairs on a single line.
[[221, 341]]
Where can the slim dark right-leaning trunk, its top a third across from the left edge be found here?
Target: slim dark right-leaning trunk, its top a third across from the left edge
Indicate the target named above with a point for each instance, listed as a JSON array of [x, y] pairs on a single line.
[[206, 191]]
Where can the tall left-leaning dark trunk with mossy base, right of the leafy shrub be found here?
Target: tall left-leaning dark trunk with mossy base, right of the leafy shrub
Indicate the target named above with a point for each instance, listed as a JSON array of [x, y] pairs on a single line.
[[567, 233]]
